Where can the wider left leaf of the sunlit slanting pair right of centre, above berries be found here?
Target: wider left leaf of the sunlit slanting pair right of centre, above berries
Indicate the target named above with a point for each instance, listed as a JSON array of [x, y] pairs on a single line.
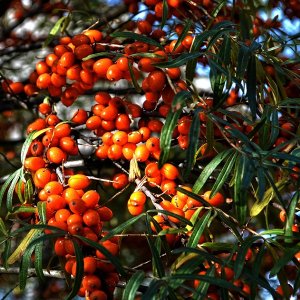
[[209, 169]]
